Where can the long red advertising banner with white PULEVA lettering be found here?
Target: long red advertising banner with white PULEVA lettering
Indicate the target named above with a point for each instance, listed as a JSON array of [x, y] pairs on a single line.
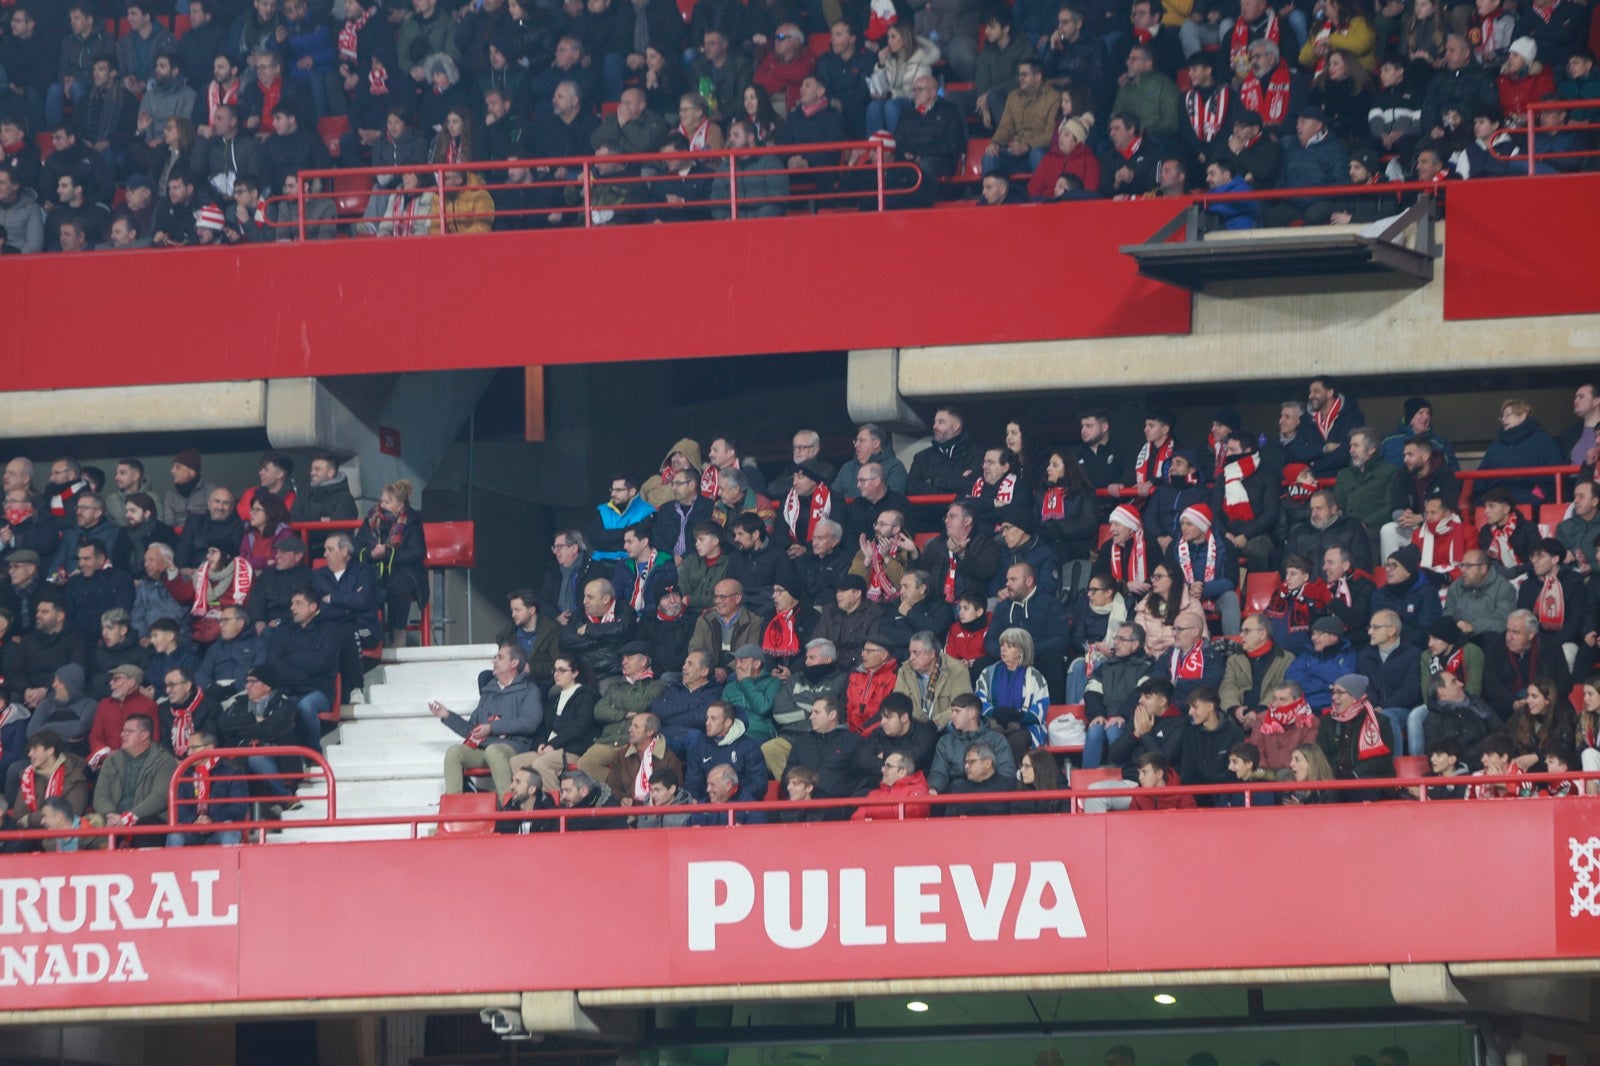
[[799, 904]]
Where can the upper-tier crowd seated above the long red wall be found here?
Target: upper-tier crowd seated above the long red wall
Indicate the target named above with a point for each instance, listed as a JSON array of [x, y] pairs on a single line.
[[118, 132]]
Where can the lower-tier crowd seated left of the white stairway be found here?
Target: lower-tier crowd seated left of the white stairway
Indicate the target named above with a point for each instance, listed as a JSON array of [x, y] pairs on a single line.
[[142, 627]]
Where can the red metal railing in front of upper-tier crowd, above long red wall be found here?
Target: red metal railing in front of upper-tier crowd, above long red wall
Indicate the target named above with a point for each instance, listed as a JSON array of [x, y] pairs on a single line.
[[582, 174]]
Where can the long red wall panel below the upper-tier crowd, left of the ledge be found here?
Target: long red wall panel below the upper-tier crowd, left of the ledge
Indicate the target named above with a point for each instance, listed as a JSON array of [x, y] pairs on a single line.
[[644, 292]]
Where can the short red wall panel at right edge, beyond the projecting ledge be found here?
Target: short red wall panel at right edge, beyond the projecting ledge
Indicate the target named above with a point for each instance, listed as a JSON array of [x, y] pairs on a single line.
[[1519, 247]]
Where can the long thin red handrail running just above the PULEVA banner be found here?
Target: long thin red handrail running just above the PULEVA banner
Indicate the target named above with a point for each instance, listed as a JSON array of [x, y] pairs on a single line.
[[1073, 796]]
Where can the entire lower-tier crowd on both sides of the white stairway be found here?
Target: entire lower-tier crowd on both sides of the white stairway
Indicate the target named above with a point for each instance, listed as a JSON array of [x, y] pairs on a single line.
[[711, 630]]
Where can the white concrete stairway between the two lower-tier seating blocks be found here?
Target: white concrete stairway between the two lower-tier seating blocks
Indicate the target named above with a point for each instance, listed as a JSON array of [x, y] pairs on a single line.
[[388, 755]]
